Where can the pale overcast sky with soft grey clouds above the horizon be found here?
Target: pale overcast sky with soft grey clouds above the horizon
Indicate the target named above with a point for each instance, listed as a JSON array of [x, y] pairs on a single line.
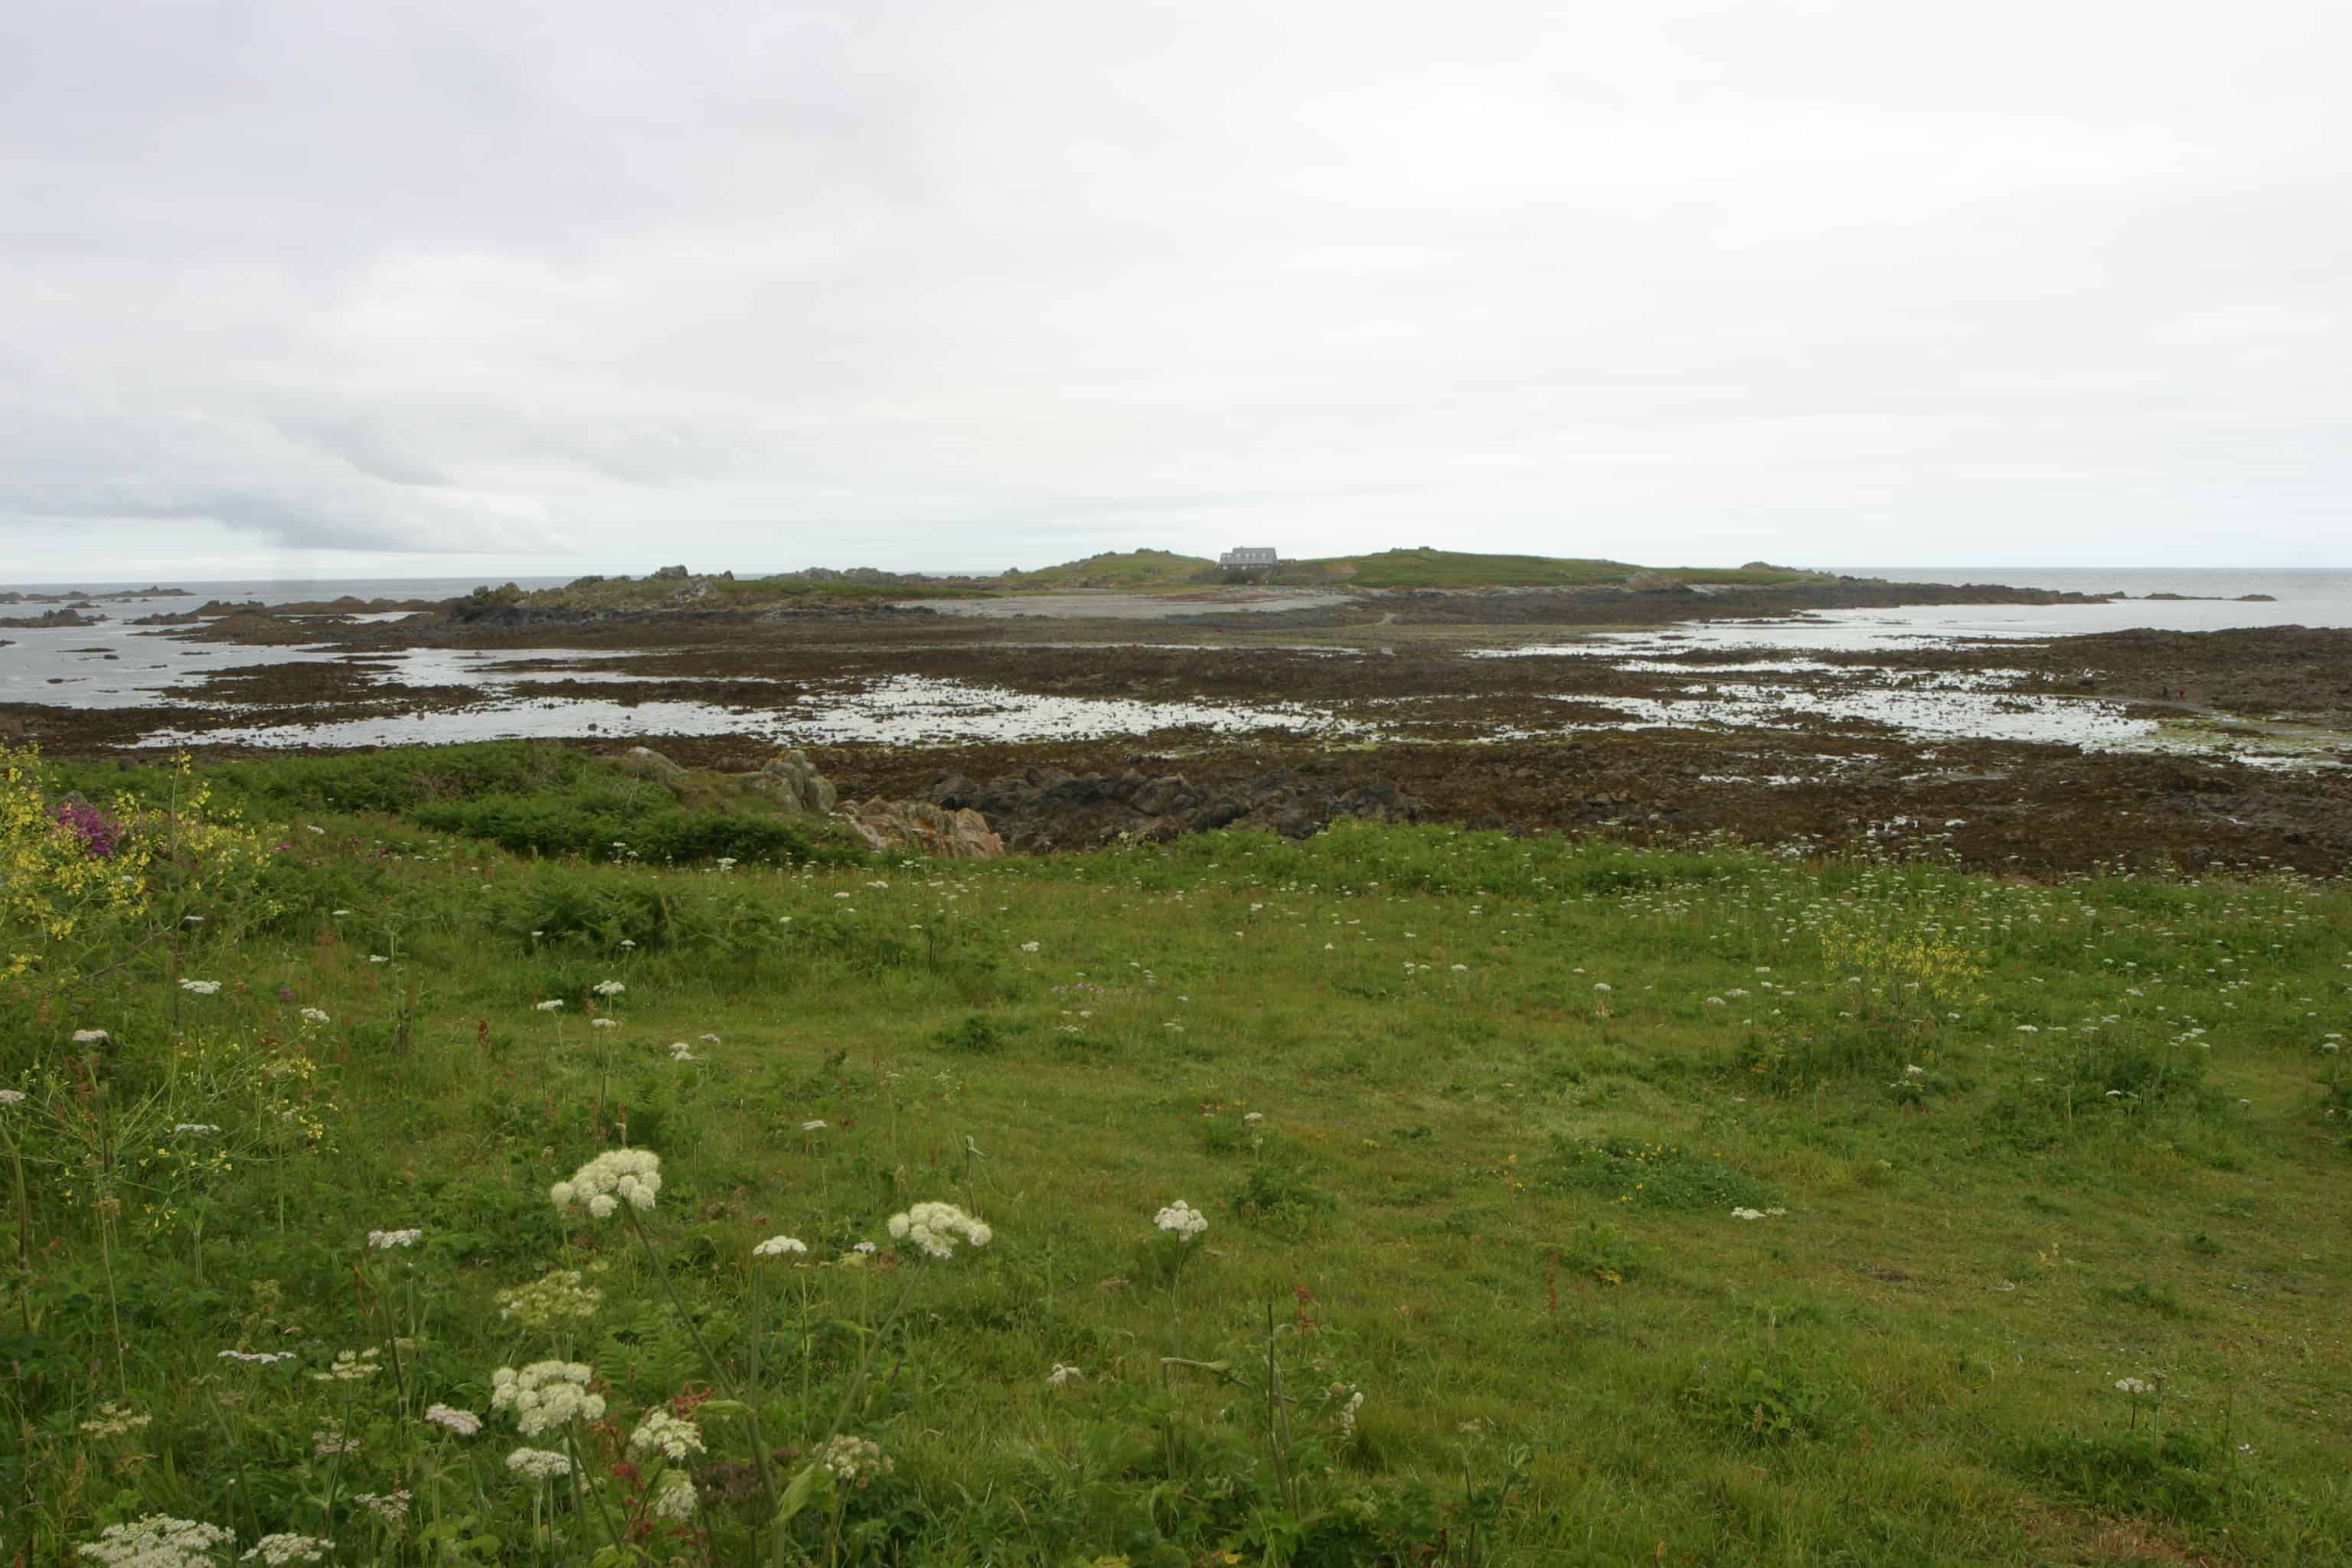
[[490, 288]]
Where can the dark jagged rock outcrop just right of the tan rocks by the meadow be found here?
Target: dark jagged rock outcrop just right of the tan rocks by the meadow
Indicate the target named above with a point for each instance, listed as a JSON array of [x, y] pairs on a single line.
[[1055, 810]]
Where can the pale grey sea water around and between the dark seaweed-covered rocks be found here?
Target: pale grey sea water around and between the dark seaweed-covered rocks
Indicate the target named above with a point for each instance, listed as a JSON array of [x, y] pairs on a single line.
[[123, 666]]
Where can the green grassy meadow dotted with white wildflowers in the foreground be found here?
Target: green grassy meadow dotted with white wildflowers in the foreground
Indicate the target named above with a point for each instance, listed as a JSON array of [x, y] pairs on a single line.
[[408, 1162]]
